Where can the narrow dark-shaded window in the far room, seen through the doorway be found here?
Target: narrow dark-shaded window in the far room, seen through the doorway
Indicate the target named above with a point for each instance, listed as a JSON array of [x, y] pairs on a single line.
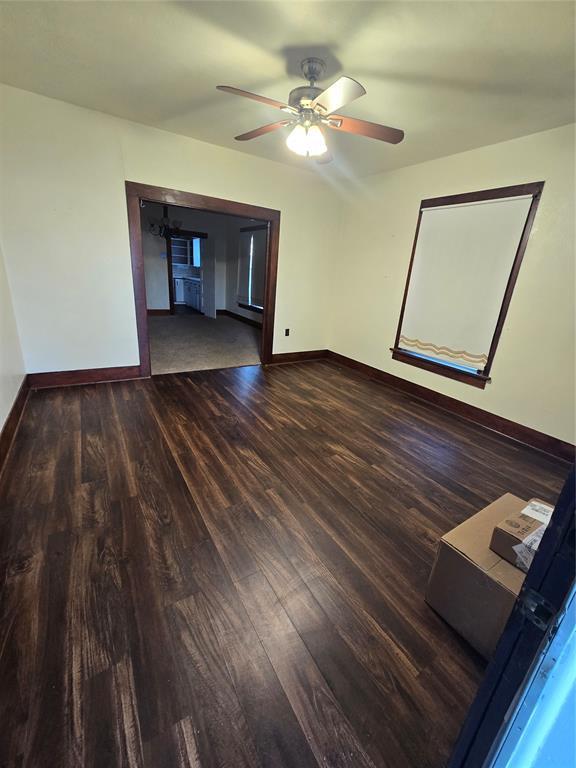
[[252, 267]]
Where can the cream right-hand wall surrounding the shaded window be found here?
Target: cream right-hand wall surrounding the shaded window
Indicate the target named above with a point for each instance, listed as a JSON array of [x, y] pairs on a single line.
[[533, 372]]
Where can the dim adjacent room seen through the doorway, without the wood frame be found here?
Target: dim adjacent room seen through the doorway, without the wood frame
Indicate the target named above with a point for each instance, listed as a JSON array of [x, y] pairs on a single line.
[[205, 277]]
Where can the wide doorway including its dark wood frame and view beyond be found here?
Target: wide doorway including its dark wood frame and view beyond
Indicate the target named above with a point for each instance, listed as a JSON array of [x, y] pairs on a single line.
[[204, 272]]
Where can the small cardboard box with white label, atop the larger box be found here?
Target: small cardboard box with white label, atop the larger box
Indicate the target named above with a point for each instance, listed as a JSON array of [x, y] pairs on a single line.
[[517, 537]]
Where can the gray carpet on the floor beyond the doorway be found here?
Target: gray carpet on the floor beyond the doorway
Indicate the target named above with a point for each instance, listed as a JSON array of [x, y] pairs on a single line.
[[191, 342]]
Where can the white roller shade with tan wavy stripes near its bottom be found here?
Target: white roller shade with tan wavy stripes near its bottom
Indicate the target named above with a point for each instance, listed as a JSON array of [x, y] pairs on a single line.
[[462, 262]]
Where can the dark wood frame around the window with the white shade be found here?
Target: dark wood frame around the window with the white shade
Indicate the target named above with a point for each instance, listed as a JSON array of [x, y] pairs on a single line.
[[480, 378]]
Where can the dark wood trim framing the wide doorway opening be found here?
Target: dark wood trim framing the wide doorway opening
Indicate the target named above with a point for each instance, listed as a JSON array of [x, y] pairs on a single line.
[[135, 193]]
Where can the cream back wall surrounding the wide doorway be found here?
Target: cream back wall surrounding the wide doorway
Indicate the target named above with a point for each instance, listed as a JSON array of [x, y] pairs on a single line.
[[63, 173]]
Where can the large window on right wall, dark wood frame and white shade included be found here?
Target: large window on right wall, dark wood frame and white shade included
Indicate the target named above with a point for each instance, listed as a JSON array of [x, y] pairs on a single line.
[[465, 260]]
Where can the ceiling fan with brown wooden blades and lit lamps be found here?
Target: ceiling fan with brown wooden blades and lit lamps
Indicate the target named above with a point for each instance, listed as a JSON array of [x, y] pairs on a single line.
[[310, 109]]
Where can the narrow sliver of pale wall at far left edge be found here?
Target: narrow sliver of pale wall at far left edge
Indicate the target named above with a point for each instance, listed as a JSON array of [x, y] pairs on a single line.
[[11, 362]]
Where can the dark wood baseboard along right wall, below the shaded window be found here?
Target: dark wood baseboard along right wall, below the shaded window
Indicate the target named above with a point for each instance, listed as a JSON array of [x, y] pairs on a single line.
[[519, 432]]
